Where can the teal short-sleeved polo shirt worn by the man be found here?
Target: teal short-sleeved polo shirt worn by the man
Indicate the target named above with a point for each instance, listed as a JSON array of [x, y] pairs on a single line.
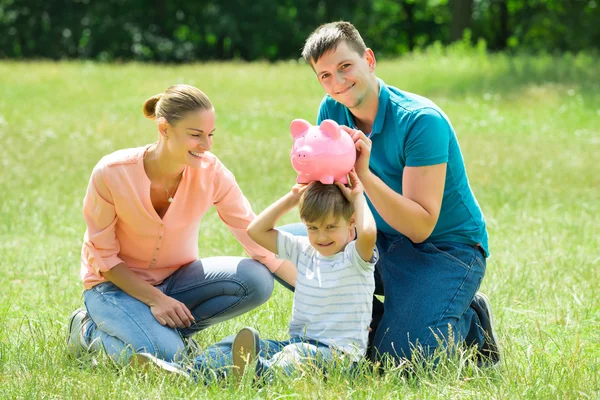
[[411, 131]]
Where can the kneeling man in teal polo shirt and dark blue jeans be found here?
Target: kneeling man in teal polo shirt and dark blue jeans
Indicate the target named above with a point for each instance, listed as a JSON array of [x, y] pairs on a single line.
[[432, 238]]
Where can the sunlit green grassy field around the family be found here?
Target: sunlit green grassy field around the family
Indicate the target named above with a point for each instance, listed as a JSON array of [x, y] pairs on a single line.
[[529, 128]]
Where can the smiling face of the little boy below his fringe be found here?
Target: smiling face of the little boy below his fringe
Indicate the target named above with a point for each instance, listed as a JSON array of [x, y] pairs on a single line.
[[330, 235]]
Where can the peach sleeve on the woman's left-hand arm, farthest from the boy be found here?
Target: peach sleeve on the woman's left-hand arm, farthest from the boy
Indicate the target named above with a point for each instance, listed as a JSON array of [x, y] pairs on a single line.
[[101, 247]]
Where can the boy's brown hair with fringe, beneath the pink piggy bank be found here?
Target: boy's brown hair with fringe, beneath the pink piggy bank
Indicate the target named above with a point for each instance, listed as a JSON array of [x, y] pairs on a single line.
[[321, 200]]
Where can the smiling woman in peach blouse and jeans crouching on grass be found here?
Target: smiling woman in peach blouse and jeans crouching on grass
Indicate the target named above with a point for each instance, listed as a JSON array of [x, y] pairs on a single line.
[[145, 290]]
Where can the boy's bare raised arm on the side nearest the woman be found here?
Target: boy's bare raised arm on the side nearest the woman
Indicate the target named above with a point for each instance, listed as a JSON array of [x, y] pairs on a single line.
[[262, 228]]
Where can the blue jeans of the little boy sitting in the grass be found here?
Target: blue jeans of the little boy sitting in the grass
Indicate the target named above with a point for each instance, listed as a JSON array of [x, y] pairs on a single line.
[[285, 356]]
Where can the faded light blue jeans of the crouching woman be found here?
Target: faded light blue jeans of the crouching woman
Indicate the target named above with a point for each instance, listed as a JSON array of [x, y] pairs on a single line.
[[214, 289]]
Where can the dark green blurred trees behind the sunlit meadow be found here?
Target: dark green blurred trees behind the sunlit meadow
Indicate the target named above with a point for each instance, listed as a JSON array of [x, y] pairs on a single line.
[[184, 31]]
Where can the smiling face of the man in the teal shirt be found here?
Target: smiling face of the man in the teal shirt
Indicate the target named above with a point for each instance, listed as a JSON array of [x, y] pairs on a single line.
[[346, 75]]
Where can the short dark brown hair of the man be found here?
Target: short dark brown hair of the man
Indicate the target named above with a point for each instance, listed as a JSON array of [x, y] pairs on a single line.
[[328, 36]]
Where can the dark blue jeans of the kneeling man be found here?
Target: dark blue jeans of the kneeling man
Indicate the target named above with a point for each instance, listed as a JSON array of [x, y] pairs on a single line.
[[428, 290]]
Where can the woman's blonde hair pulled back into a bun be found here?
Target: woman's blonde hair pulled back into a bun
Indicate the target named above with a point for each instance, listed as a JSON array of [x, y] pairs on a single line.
[[175, 102]]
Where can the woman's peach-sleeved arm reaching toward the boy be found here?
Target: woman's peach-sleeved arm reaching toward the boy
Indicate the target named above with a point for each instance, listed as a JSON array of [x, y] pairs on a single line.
[[236, 212]]
